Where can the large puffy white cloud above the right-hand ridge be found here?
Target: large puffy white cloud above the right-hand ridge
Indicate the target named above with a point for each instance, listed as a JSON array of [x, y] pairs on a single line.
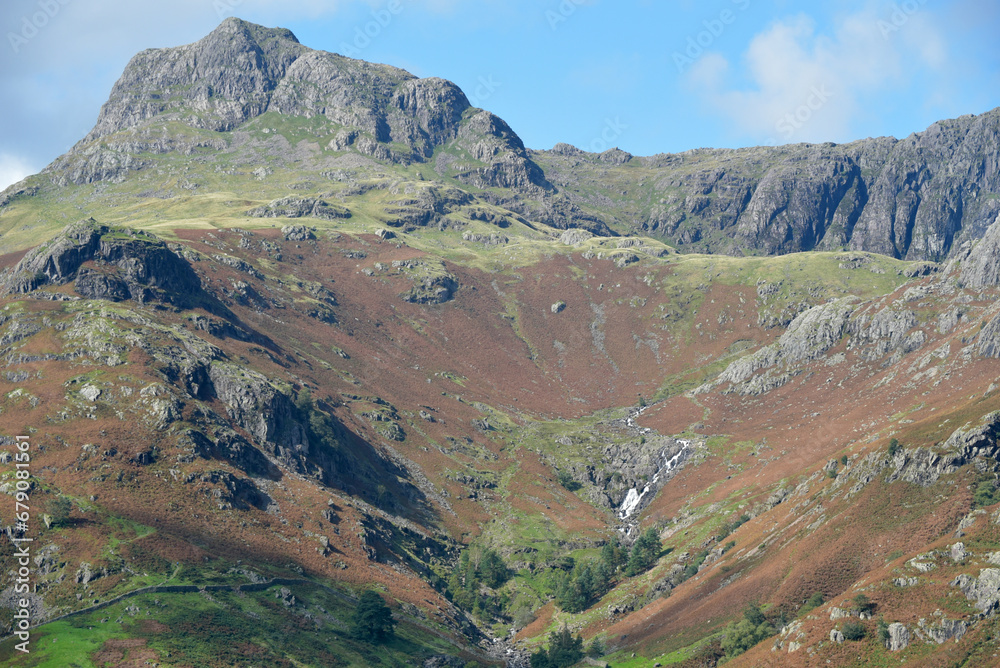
[[803, 85]]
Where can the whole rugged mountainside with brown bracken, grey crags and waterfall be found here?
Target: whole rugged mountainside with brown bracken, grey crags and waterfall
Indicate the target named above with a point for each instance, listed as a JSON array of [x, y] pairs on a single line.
[[287, 327]]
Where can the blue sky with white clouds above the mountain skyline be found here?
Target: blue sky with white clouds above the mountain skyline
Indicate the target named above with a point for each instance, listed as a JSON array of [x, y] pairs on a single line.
[[649, 77]]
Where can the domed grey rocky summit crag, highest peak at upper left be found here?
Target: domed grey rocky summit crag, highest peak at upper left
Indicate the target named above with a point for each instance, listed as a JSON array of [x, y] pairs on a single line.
[[241, 71]]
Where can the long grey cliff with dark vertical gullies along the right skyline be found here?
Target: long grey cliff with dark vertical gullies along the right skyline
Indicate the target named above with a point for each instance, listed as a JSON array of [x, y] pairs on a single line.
[[918, 198]]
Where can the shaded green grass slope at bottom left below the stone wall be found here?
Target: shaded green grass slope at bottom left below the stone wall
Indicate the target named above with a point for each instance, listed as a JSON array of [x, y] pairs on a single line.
[[225, 630]]
